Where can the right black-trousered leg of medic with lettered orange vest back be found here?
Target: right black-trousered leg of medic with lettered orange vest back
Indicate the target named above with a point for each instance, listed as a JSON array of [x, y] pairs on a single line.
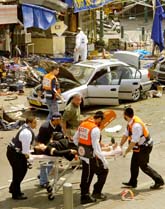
[[101, 177]]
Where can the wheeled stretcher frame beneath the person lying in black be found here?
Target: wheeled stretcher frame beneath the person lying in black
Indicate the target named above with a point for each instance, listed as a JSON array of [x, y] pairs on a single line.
[[60, 168]]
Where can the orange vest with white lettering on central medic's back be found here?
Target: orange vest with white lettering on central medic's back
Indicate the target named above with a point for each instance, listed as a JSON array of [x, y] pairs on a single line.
[[85, 142]]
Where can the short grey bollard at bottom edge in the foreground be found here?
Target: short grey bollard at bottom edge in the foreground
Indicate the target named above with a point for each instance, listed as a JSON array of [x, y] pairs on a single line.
[[68, 196]]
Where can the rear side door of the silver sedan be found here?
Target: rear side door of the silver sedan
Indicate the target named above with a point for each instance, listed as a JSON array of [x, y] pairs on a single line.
[[129, 81]]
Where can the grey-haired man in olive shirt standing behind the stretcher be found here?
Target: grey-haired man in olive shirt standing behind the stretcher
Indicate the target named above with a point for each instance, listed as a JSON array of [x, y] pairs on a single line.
[[71, 116]]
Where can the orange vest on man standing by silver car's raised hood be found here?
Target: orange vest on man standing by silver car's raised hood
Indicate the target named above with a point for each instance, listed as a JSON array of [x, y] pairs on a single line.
[[47, 83]]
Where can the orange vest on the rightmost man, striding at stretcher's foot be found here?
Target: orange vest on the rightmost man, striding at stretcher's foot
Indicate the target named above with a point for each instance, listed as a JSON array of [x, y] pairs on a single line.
[[145, 132]]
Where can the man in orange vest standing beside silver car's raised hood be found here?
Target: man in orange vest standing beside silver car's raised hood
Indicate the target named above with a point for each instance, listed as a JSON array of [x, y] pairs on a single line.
[[51, 87]]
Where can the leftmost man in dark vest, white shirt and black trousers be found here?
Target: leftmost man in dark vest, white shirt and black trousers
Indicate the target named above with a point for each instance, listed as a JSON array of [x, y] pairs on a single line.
[[18, 153]]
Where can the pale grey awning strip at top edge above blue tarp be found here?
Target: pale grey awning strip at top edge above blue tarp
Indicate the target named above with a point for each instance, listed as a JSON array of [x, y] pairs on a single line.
[[51, 4]]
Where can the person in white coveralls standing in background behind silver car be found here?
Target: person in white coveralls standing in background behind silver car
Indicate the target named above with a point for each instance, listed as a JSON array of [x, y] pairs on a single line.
[[81, 46]]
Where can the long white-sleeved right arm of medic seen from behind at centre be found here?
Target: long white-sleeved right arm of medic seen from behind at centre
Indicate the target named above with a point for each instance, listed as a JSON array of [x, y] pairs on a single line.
[[95, 135]]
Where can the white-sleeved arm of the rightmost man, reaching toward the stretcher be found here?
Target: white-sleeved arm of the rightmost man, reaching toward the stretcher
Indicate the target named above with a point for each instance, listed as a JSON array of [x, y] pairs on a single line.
[[136, 134]]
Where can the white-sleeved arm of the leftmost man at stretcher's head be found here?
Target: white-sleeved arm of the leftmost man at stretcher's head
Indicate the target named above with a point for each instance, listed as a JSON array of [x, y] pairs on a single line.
[[25, 137]]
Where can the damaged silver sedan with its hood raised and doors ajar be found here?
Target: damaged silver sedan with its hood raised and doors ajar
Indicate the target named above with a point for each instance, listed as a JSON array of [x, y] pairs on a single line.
[[100, 82]]
